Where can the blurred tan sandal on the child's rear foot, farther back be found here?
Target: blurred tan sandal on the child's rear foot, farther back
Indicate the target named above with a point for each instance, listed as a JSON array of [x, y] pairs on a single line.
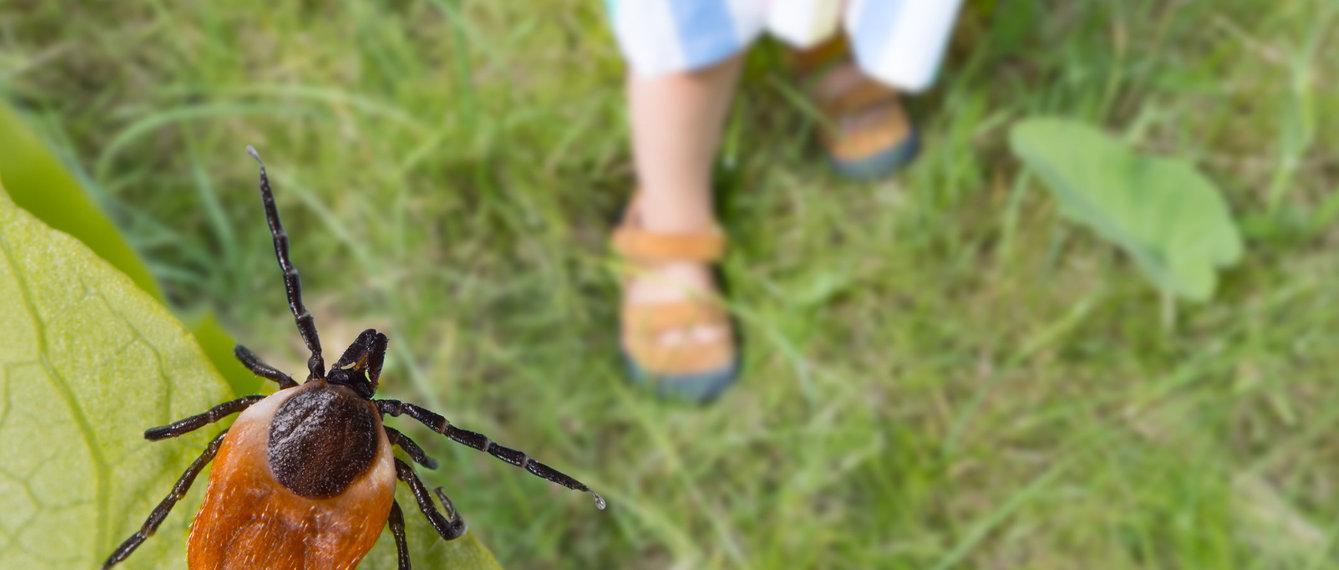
[[867, 133]]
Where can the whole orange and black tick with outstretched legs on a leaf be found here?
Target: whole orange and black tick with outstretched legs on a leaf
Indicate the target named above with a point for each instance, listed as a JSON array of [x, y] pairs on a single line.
[[306, 477]]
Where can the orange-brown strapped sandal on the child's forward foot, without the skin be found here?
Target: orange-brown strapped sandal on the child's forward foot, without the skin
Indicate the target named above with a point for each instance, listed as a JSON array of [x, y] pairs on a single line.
[[696, 371]]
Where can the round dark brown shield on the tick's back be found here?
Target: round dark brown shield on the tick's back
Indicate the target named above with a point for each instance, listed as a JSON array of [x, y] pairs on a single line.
[[322, 440]]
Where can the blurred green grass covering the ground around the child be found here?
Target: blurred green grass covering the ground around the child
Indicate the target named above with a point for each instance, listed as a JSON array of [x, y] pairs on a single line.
[[941, 371]]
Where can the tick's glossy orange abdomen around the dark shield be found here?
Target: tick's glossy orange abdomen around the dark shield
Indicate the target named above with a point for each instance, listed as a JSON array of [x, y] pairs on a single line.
[[251, 521]]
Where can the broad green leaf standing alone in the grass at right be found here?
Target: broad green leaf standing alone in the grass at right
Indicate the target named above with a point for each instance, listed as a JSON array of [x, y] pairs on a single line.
[[1163, 212]]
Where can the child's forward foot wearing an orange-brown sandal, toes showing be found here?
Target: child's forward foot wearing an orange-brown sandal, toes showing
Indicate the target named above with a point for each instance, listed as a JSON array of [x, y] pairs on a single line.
[[676, 335]]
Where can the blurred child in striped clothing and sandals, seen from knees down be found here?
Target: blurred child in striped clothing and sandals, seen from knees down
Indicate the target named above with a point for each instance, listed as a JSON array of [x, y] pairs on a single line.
[[685, 58]]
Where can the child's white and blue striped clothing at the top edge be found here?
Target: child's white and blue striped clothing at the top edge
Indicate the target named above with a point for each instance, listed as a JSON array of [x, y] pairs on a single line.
[[899, 42]]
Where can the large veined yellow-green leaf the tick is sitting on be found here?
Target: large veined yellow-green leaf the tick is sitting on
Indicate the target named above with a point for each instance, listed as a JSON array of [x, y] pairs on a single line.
[[88, 362]]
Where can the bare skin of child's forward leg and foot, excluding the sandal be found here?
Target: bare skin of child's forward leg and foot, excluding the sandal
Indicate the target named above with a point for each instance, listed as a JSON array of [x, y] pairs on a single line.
[[677, 124]]
